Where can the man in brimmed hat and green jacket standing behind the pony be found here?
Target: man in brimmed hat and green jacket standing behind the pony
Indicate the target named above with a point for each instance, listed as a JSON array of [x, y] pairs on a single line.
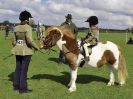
[[73, 28]]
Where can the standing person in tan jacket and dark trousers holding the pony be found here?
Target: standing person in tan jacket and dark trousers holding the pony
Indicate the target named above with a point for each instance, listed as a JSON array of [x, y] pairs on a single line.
[[22, 47]]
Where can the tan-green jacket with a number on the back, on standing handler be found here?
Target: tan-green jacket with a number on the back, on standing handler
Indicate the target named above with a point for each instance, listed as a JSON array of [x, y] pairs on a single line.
[[22, 41]]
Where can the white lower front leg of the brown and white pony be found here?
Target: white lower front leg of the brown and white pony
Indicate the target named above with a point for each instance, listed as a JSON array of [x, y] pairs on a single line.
[[72, 83]]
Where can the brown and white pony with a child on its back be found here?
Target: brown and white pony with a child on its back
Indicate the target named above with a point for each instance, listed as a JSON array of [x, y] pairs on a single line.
[[103, 53]]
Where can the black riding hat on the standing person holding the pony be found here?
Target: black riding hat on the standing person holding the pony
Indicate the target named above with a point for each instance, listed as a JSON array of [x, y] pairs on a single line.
[[25, 15]]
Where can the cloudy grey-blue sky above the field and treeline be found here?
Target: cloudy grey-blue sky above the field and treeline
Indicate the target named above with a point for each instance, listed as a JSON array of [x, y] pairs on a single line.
[[114, 14]]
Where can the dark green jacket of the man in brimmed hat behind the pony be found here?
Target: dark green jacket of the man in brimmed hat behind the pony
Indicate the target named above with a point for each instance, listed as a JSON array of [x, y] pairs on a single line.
[[72, 27]]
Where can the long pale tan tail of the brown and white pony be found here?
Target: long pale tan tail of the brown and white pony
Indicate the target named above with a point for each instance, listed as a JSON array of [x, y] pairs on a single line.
[[122, 71]]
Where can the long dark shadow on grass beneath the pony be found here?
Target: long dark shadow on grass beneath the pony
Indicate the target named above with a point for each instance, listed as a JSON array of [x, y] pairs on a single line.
[[65, 78]]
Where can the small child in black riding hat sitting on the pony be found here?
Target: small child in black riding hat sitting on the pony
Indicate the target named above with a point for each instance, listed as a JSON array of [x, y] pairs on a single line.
[[93, 35]]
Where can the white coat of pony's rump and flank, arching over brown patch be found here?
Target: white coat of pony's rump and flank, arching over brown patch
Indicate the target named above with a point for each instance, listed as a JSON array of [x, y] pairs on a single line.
[[99, 50]]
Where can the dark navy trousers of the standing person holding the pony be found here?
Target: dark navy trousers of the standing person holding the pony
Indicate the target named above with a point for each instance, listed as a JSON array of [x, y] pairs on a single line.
[[20, 75]]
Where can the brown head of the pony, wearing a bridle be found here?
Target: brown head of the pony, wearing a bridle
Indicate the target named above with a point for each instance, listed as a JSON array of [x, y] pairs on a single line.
[[53, 35]]
